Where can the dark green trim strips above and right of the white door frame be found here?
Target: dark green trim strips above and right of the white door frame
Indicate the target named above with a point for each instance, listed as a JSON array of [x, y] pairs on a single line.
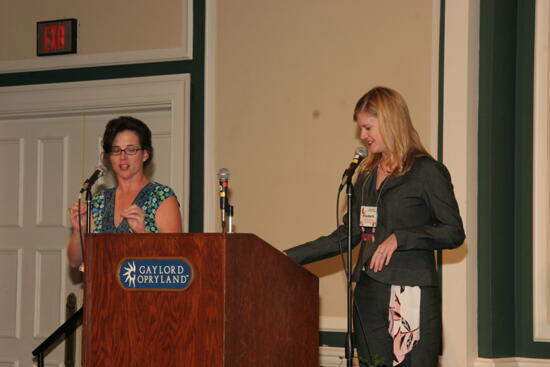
[[194, 67]]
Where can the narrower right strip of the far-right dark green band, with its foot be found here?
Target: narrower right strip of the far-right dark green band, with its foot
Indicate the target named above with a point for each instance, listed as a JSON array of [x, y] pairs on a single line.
[[525, 346]]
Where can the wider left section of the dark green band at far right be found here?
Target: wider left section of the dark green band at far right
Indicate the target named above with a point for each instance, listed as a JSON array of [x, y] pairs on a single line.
[[496, 293]]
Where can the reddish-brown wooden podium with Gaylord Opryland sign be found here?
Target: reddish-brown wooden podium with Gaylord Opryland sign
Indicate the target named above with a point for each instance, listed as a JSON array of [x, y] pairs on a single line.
[[246, 304]]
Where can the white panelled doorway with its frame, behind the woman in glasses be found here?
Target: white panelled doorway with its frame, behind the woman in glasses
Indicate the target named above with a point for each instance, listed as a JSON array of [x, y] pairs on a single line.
[[43, 161]]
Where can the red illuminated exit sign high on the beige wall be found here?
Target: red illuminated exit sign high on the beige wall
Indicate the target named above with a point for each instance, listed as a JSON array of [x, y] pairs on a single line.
[[56, 37]]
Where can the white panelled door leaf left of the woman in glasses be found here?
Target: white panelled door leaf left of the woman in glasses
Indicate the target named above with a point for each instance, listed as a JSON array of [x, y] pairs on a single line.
[[40, 160]]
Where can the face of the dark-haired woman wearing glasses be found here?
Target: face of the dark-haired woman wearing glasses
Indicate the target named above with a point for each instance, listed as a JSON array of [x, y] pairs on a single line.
[[127, 166]]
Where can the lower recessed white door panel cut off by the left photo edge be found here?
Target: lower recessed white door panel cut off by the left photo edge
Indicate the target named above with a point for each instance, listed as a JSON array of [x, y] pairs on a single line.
[[10, 289]]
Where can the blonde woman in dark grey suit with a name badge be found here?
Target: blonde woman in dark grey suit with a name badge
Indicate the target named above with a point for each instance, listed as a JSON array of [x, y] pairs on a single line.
[[405, 209]]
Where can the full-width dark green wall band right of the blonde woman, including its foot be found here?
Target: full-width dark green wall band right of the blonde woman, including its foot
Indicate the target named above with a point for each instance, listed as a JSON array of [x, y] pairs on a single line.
[[505, 174]]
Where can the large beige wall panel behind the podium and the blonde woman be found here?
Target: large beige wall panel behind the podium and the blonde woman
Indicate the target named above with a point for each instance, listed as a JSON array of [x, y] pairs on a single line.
[[287, 77]]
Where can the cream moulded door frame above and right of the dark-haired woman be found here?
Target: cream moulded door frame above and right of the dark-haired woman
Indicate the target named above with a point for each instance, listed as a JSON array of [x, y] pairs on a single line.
[[168, 91]]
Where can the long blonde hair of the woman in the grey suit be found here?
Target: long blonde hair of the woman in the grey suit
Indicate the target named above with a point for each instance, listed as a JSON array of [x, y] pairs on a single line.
[[400, 137]]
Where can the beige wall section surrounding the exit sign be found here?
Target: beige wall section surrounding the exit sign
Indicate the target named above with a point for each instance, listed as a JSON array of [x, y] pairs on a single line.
[[105, 26]]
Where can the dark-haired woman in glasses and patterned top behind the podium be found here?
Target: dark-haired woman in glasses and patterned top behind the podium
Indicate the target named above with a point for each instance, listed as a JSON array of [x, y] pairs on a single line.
[[136, 204]]
